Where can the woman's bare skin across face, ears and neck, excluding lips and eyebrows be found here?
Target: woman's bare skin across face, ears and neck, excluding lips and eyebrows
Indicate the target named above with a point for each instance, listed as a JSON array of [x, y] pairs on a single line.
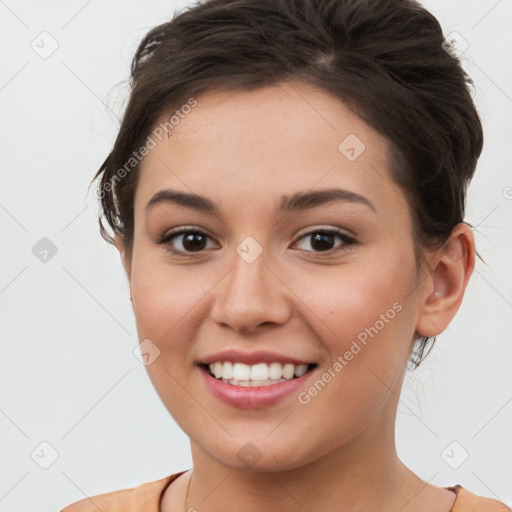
[[243, 150]]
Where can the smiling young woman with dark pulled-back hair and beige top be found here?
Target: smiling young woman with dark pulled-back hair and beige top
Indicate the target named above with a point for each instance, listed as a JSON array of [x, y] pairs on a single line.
[[287, 194]]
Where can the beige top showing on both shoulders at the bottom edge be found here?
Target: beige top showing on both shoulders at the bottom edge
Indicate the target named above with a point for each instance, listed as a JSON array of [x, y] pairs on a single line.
[[147, 497]]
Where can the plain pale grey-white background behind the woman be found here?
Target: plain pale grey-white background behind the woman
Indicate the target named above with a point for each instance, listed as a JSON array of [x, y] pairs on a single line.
[[68, 373]]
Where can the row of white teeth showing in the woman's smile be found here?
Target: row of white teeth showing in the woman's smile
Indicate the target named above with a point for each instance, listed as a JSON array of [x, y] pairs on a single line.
[[240, 373]]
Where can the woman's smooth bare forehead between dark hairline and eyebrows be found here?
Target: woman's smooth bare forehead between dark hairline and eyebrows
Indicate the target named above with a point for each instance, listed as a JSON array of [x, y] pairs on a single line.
[[265, 142]]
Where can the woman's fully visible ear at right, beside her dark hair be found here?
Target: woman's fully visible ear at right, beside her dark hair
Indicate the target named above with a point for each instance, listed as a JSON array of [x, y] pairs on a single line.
[[451, 268]]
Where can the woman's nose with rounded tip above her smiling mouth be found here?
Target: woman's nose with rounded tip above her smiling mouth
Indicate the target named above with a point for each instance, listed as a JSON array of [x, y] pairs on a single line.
[[251, 296]]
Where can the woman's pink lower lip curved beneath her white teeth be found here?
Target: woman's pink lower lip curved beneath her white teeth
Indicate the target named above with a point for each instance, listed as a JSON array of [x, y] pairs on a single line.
[[251, 397]]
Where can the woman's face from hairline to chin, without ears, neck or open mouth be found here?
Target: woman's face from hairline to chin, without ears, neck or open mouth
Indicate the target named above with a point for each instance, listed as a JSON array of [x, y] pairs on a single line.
[[327, 282]]
